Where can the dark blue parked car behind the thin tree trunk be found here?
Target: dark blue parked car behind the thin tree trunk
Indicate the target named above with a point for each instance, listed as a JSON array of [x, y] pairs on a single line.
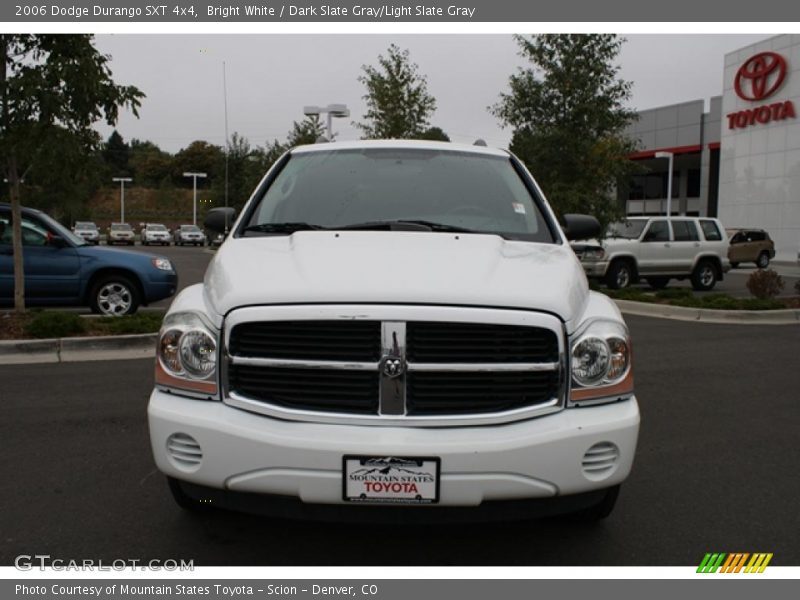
[[62, 269]]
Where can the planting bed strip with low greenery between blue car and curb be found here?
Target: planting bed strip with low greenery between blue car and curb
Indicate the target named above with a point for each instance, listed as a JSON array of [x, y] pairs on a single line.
[[40, 324]]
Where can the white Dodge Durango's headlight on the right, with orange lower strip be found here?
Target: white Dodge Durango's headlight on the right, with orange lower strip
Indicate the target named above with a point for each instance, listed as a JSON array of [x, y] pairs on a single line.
[[601, 362]]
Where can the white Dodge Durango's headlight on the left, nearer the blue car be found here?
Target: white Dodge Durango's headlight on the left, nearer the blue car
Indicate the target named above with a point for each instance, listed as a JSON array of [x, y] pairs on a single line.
[[187, 354]]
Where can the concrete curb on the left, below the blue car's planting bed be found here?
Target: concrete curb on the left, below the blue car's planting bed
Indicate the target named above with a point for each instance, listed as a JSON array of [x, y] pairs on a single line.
[[123, 347]]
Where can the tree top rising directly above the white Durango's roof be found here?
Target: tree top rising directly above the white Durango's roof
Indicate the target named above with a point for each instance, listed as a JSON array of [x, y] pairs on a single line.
[[398, 103]]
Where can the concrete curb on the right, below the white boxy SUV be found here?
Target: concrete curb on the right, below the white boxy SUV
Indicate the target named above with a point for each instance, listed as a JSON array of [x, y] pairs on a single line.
[[704, 315]]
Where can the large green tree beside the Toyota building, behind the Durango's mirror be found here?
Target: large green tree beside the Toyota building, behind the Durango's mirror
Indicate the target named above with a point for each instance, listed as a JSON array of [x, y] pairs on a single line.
[[569, 120]]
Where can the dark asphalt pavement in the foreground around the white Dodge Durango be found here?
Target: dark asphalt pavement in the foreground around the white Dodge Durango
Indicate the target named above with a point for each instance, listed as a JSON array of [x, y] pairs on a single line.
[[716, 470]]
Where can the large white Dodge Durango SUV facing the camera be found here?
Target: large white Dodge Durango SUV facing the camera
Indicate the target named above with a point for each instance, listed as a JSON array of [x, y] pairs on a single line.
[[395, 324]]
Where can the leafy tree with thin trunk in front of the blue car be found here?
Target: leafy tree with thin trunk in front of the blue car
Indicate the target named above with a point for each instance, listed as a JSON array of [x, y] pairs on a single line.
[[50, 81]]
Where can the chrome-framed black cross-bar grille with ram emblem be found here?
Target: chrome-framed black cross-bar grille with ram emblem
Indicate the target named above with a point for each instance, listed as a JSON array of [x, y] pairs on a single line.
[[394, 372]]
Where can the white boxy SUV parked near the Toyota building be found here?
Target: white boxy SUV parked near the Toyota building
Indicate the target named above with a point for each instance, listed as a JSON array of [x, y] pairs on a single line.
[[658, 249]]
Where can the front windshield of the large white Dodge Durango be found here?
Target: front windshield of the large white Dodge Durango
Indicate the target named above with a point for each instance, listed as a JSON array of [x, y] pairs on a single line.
[[345, 188]]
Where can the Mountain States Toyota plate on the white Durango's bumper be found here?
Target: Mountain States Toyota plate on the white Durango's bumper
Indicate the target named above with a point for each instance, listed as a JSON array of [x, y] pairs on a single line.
[[391, 479]]
